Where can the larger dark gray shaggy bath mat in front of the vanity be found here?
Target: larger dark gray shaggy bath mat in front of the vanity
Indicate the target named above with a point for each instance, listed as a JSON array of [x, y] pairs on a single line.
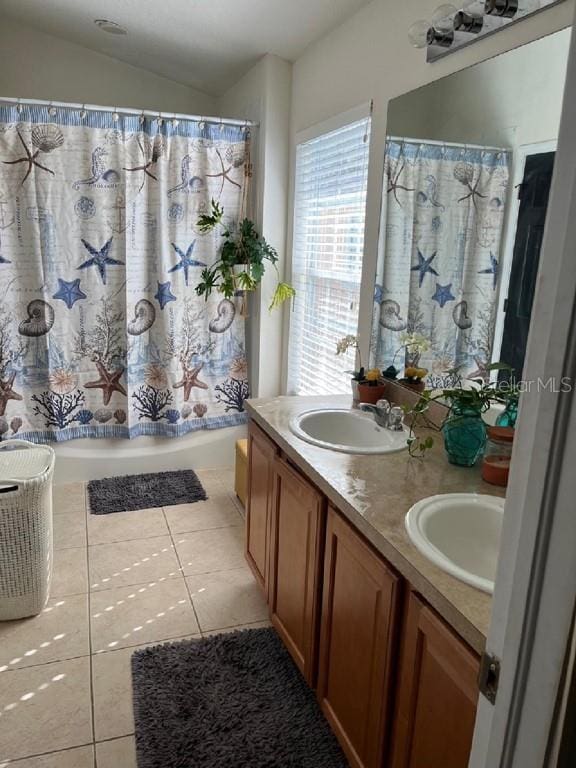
[[235, 700]]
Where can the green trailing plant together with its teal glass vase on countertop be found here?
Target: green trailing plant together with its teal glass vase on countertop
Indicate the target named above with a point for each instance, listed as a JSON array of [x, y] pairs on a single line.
[[463, 429]]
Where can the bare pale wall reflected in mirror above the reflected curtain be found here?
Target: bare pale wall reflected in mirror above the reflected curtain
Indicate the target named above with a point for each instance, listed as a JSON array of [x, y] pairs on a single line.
[[511, 100]]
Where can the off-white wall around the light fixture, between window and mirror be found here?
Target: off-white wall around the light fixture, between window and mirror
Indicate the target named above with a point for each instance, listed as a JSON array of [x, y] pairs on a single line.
[[369, 57]]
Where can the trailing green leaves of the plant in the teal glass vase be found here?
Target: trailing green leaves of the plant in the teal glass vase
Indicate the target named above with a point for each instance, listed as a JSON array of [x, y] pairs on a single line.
[[477, 397]]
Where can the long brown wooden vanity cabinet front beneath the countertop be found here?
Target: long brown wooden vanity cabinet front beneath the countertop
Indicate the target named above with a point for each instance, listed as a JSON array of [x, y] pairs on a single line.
[[396, 683]]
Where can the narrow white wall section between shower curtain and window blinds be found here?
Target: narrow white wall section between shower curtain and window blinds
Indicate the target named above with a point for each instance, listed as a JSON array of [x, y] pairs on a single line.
[[263, 95]]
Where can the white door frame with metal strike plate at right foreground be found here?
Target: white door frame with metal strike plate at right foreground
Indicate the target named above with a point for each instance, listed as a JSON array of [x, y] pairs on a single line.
[[536, 582]]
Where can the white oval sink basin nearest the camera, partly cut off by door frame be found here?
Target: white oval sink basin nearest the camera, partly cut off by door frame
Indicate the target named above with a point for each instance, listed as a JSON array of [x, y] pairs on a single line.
[[459, 532]]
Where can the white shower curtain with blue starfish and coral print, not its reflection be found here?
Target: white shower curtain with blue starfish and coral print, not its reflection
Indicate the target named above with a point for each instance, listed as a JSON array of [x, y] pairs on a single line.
[[101, 332]]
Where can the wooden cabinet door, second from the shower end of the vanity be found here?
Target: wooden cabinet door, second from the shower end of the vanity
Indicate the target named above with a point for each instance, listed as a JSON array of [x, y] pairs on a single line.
[[297, 531]]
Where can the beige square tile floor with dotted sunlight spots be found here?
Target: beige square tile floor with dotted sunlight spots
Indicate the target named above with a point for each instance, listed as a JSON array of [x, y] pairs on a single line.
[[121, 581]]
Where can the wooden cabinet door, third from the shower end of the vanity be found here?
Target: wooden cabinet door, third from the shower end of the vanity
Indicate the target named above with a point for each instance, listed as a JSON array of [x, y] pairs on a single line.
[[357, 641]]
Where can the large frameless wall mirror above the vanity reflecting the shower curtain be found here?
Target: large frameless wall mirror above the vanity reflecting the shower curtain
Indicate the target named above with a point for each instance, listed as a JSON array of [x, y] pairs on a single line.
[[468, 168]]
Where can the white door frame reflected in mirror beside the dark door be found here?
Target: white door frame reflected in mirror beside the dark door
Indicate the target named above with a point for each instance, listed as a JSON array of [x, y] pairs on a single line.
[[519, 157]]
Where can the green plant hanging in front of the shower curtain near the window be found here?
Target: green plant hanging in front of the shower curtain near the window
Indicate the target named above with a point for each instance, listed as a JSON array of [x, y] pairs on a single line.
[[245, 248]]
